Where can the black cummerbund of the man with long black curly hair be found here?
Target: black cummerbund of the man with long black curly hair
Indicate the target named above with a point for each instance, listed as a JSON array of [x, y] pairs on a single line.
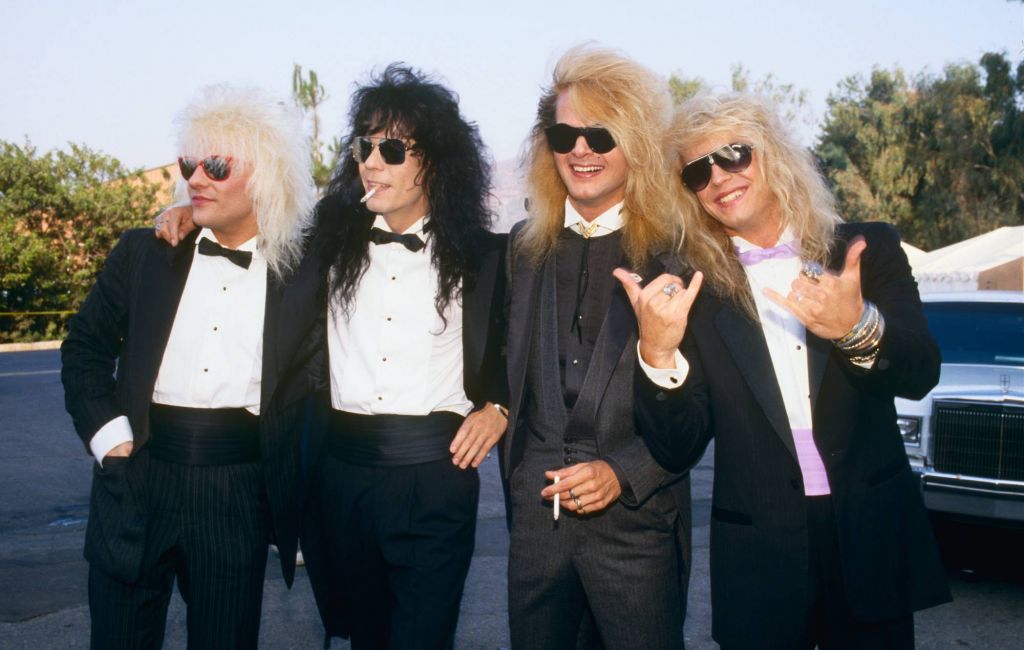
[[388, 441]]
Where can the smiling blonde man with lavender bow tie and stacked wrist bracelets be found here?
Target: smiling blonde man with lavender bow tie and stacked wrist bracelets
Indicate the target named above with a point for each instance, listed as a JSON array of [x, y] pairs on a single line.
[[806, 330]]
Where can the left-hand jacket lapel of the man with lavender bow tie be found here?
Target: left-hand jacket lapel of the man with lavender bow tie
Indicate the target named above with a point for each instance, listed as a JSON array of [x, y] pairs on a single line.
[[746, 342]]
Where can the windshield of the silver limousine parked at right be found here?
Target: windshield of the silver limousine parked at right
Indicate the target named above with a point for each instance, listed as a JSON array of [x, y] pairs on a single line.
[[991, 334]]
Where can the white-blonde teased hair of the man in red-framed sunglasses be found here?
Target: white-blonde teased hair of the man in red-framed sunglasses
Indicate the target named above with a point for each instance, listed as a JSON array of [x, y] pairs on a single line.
[[267, 137]]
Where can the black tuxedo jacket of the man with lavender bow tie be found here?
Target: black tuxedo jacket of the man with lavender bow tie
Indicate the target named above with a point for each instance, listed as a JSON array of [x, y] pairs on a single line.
[[759, 547]]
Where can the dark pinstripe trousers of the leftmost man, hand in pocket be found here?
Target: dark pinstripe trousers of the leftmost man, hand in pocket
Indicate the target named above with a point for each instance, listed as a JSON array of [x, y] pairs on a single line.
[[208, 527]]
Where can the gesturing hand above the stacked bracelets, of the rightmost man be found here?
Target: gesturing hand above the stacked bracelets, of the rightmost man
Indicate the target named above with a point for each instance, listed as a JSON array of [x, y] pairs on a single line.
[[828, 305]]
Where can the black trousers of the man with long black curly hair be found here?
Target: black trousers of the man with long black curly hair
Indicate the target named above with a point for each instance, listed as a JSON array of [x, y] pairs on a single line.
[[400, 541]]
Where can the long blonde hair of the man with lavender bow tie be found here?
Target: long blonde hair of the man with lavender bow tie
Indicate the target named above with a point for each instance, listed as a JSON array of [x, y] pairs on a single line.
[[787, 168]]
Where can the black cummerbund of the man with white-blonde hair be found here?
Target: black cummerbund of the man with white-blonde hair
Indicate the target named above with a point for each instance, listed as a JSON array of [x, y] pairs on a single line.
[[203, 437]]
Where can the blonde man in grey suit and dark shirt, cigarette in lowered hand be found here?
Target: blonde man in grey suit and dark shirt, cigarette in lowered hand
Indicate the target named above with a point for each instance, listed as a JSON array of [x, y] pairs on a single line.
[[598, 526]]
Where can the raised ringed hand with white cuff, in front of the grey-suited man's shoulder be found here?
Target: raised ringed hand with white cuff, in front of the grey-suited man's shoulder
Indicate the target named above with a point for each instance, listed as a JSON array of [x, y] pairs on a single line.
[[662, 309]]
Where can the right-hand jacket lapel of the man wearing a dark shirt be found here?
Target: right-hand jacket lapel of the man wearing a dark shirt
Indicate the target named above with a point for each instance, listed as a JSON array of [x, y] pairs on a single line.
[[619, 328]]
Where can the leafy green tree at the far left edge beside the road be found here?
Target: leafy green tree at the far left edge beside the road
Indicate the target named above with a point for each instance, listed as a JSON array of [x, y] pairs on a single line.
[[61, 213]]
